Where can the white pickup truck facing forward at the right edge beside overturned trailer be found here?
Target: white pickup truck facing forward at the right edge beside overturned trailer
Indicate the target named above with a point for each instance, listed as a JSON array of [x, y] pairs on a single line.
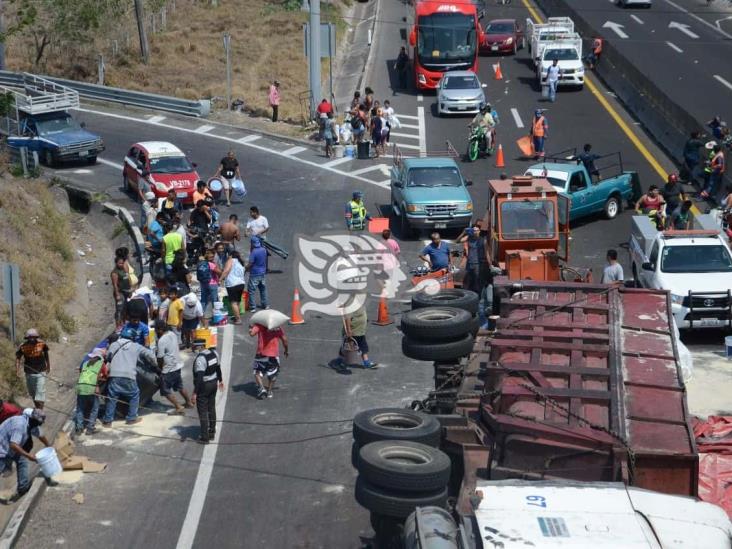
[[695, 266]]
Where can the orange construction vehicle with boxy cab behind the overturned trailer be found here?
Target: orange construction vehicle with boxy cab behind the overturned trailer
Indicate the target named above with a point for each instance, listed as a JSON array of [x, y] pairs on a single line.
[[527, 222]]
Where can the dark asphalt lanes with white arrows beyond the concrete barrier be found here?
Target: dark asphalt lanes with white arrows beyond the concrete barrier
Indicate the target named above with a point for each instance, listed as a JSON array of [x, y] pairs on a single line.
[[680, 55]]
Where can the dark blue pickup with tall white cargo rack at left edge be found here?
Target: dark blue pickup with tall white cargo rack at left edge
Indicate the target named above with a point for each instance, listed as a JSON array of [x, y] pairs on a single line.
[[38, 119]]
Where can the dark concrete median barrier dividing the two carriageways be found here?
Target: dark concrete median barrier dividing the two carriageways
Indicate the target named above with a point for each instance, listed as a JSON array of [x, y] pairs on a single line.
[[669, 123]]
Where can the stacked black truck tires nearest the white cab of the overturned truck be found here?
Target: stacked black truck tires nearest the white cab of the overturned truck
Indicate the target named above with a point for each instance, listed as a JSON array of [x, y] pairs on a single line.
[[395, 451]]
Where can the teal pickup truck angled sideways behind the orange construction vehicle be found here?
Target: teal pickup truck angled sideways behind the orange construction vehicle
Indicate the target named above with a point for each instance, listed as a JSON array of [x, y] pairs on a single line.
[[590, 195]]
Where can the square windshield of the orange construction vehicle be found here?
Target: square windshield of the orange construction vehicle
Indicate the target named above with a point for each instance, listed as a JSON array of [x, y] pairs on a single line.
[[527, 219]]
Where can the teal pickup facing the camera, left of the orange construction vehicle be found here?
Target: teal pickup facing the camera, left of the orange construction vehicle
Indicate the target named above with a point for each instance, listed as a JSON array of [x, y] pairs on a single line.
[[429, 193]]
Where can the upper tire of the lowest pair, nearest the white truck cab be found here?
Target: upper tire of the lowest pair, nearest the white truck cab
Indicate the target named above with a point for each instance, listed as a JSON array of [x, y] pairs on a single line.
[[404, 466]]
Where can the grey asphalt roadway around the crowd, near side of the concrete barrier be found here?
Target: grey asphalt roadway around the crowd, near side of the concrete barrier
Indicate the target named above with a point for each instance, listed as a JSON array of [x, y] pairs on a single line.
[[282, 475]]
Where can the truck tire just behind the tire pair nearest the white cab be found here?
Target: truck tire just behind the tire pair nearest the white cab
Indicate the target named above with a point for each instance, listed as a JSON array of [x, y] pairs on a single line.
[[396, 424]]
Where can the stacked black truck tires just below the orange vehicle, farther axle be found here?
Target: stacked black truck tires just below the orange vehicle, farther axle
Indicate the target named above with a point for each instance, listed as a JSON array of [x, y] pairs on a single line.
[[440, 327]]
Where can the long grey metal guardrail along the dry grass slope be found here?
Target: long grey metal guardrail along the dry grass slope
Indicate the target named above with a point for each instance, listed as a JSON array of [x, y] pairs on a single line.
[[200, 108]]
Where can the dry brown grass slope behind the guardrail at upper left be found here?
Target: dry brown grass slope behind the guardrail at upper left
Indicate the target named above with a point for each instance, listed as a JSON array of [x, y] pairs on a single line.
[[187, 60]]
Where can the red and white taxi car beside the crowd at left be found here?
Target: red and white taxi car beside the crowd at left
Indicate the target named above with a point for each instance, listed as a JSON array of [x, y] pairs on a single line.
[[167, 165]]
